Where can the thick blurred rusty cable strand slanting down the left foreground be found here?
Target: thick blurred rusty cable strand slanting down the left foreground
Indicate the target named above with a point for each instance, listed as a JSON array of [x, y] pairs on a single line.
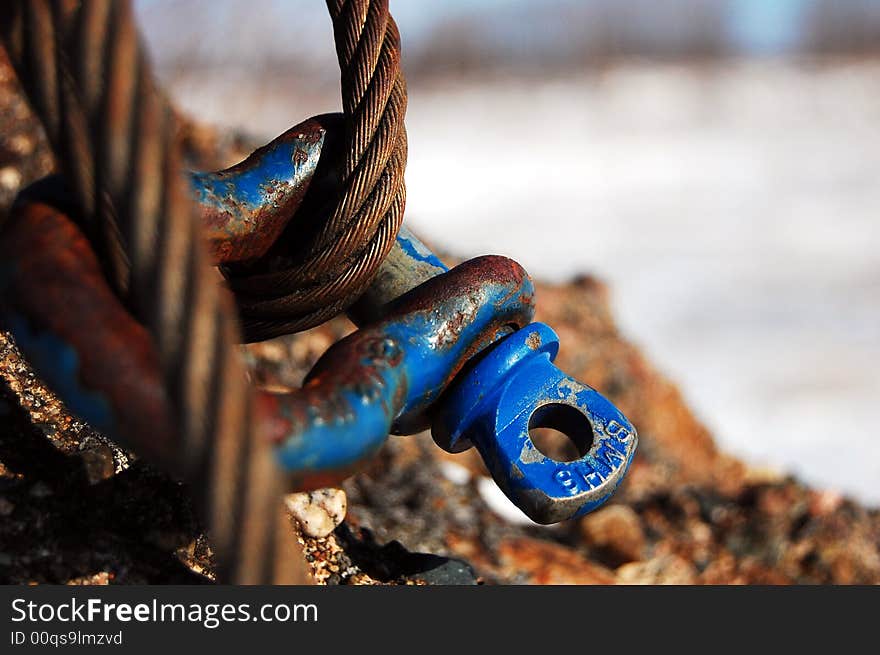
[[85, 70]]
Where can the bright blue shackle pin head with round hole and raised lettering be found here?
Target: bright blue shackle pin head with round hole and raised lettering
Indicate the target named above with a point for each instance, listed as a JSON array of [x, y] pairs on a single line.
[[492, 407]]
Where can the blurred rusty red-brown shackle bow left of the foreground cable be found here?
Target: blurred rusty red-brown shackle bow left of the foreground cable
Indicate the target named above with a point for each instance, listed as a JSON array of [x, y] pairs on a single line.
[[52, 270]]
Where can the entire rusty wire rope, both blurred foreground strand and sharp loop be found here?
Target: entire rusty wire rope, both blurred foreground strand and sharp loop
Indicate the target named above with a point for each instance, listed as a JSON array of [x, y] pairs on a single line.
[[85, 71]]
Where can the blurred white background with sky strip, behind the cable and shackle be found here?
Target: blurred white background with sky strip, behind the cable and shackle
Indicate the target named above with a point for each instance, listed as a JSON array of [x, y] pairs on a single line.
[[717, 162]]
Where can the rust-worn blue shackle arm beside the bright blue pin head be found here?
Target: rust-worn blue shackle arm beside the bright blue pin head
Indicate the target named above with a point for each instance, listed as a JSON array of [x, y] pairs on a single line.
[[382, 378]]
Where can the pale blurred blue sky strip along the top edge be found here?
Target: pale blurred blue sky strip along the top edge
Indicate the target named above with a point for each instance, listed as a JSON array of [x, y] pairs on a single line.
[[758, 27]]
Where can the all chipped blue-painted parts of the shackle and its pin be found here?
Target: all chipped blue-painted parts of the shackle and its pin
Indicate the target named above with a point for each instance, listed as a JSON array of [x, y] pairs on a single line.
[[385, 377]]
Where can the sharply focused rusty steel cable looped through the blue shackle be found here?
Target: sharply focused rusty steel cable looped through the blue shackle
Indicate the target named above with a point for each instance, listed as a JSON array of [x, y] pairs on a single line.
[[317, 270]]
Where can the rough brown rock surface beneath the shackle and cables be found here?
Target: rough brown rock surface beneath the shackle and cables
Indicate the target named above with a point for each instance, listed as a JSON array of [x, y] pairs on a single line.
[[75, 508]]
